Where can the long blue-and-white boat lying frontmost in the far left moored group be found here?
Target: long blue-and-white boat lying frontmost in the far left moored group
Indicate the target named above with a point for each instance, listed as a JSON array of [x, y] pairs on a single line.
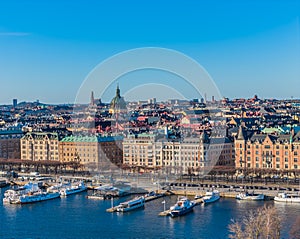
[[36, 197]]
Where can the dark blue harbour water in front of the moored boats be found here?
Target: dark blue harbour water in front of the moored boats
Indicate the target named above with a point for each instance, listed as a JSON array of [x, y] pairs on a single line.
[[79, 217]]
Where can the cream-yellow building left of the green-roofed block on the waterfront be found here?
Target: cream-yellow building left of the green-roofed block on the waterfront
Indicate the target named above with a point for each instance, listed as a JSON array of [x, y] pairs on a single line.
[[40, 146]]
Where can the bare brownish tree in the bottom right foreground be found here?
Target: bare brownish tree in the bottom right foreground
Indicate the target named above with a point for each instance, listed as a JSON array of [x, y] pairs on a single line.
[[263, 223]]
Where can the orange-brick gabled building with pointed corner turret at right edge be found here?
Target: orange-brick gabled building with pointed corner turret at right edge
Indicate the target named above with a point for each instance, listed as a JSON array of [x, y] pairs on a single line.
[[267, 151]]
